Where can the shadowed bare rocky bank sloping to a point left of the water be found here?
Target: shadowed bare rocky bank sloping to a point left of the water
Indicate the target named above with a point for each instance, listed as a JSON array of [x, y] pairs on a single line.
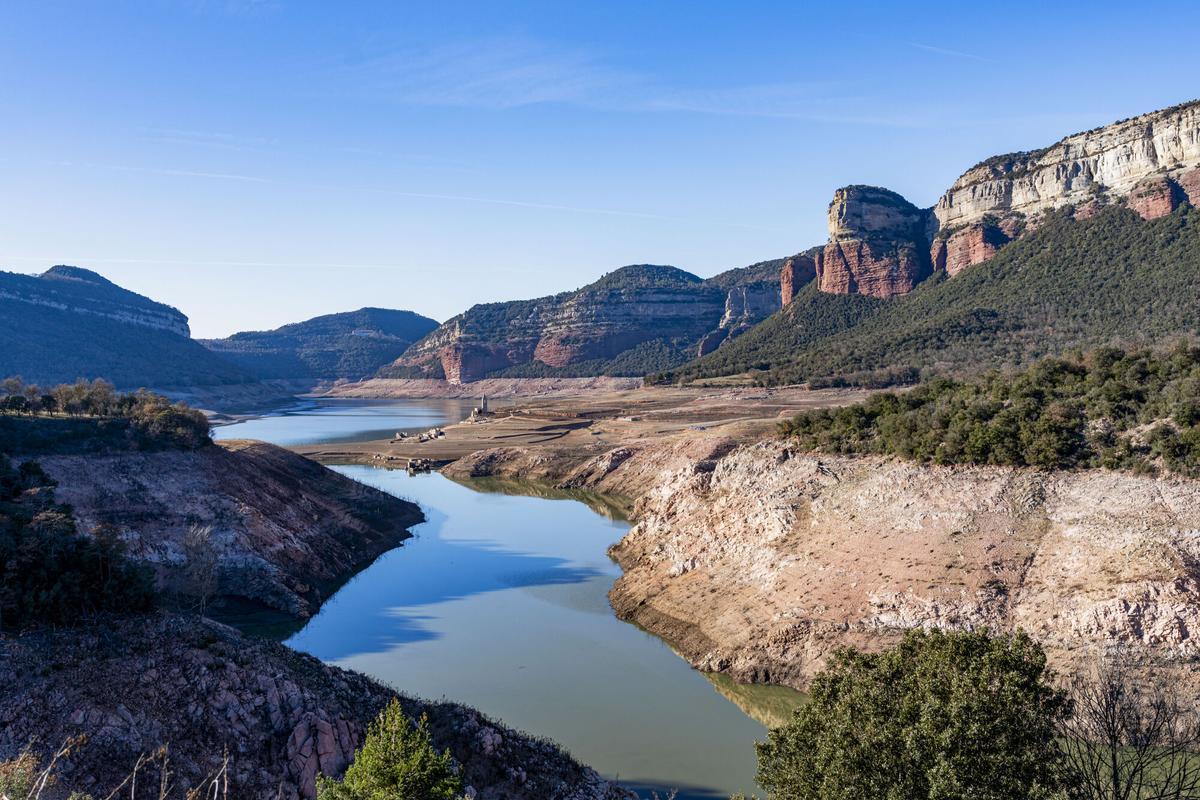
[[284, 531]]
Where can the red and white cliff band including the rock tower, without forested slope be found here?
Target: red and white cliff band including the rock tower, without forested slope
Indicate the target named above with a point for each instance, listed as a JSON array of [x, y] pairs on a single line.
[[879, 242]]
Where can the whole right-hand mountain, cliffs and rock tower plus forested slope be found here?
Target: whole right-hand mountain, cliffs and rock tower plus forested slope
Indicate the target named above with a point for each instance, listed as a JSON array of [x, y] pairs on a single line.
[[1088, 242]]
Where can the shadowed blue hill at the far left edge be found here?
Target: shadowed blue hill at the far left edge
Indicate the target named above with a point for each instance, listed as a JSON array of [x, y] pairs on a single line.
[[71, 323]]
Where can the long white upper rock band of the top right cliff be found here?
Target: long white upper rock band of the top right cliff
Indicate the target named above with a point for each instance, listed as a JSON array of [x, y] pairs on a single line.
[[1112, 161]]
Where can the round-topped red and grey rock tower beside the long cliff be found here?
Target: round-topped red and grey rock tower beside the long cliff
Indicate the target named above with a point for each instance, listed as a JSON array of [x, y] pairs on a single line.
[[878, 244]]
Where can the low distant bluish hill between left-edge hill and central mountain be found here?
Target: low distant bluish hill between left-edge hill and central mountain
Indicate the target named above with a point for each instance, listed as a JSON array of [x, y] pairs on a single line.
[[347, 346]]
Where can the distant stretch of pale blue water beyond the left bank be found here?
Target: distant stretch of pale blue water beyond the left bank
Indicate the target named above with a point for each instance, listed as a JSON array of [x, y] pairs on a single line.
[[328, 422]]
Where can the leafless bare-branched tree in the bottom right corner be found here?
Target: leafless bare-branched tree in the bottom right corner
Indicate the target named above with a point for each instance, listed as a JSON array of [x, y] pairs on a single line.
[[1131, 738]]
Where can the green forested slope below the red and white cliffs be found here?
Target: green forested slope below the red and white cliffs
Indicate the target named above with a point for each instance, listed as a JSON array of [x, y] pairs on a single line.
[[1072, 284]]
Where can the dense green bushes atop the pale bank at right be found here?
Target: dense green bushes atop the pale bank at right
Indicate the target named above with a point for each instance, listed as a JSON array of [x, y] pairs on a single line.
[[1112, 408]]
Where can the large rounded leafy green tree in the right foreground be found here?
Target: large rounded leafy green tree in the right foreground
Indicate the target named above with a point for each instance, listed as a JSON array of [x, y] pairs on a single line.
[[941, 717]]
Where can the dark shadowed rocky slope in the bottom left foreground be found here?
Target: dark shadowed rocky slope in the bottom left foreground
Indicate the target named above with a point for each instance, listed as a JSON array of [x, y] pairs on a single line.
[[136, 684]]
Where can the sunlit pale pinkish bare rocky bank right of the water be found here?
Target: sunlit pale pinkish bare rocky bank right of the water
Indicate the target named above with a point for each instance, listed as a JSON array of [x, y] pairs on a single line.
[[758, 562]]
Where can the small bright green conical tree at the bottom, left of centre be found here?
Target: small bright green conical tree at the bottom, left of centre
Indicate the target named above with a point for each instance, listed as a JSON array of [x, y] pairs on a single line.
[[397, 762]]
